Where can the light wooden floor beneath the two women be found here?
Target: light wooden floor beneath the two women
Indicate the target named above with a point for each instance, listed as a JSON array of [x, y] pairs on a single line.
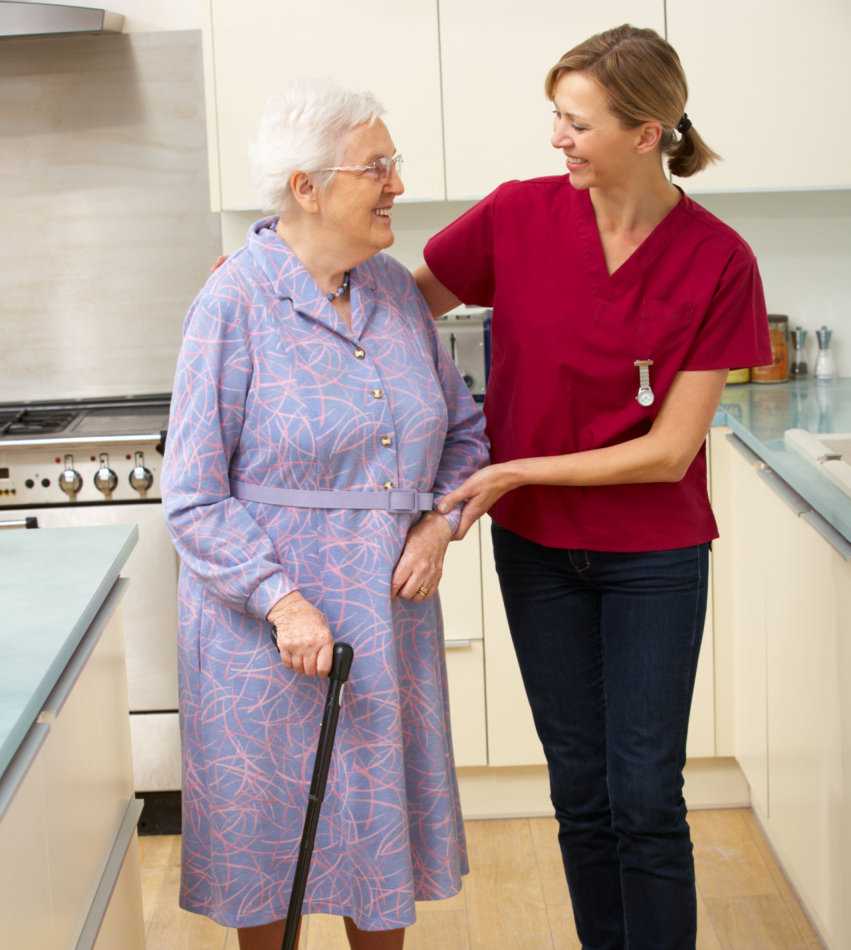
[[516, 897]]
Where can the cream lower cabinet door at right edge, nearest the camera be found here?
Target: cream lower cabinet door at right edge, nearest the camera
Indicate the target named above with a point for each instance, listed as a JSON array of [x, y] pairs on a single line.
[[807, 799]]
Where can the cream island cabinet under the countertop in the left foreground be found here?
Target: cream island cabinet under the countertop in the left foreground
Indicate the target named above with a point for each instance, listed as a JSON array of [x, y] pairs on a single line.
[[68, 862]]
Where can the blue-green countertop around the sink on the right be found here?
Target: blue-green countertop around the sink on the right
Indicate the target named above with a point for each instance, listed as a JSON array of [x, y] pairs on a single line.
[[760, 413]]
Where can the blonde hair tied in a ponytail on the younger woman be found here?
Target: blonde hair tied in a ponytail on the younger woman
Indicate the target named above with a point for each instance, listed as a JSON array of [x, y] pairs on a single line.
[[644, 81]]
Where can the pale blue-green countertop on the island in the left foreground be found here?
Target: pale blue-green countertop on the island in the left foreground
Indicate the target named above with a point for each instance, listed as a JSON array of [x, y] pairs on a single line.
[[53, 581]]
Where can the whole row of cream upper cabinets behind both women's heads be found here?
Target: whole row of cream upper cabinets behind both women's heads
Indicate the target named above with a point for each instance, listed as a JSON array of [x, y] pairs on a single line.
[[462, 82]]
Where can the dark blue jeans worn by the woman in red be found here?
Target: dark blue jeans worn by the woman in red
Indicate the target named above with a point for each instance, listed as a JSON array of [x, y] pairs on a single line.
[[607, 645]]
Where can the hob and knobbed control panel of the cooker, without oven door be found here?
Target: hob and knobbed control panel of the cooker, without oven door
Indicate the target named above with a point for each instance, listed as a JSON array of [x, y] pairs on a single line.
[[82, 451]]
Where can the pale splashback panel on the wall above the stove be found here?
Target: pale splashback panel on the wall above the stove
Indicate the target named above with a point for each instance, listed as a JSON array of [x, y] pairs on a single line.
[[105, 229]]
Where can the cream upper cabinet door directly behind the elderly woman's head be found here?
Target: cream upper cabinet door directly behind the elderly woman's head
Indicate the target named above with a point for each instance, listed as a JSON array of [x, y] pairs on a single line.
[[254, 48]]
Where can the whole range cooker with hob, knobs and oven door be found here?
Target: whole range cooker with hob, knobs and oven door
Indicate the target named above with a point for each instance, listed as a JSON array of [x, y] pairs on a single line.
[[94, 462]]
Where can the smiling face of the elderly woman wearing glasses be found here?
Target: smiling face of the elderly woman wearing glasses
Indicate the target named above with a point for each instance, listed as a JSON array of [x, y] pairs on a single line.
[[356, 205]]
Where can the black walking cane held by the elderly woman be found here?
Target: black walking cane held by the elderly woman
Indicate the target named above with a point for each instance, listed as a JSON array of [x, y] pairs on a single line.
[[340, 666]]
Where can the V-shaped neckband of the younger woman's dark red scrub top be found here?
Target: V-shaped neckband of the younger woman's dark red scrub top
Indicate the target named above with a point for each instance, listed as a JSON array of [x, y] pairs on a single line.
[[611, 286]]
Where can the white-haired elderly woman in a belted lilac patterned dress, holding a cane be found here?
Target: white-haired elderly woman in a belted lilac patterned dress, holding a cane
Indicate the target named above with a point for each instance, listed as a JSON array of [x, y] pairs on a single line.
[[314, 423]]
